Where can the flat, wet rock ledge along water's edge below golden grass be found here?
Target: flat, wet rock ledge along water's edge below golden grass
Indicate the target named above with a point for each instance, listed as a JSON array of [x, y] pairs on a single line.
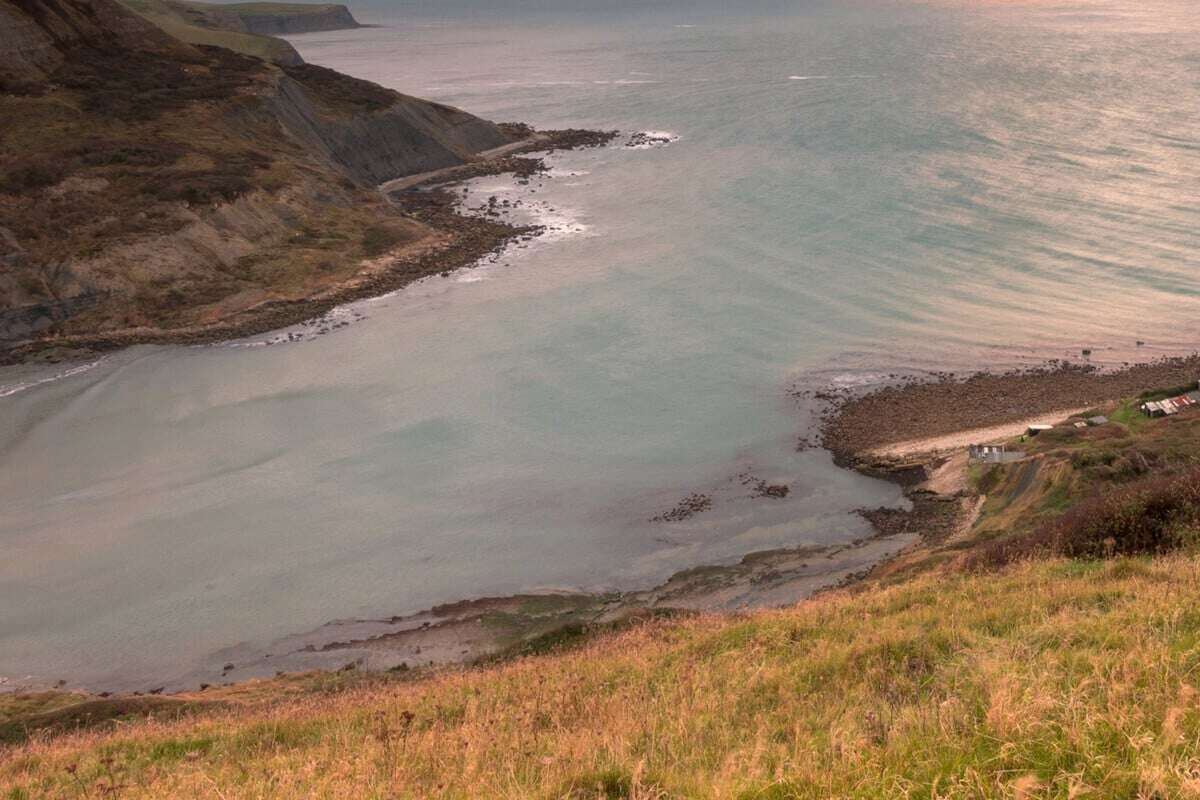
[[491, 628]]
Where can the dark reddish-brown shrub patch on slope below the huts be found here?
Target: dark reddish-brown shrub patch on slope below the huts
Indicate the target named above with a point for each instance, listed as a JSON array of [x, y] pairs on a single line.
[[1151, 516]]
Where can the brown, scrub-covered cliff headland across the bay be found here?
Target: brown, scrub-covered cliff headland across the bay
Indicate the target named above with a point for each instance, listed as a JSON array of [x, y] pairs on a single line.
[[152, 184]]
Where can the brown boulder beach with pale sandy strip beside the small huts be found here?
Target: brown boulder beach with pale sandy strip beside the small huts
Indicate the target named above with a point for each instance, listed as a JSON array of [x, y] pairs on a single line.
[[892, 432]]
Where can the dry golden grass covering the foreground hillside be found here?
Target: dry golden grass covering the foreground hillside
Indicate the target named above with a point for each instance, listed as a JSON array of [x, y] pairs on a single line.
[[1058, 679]]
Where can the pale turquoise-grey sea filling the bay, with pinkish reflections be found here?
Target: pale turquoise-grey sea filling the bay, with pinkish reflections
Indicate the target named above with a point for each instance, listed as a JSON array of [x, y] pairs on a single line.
[[859, 188]]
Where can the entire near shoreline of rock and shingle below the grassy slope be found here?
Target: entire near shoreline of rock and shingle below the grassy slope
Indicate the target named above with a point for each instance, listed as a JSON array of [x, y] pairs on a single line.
[[479, 630]]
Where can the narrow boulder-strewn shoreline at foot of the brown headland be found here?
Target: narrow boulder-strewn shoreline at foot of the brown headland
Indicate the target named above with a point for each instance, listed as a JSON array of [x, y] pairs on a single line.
[[458, 240]]
